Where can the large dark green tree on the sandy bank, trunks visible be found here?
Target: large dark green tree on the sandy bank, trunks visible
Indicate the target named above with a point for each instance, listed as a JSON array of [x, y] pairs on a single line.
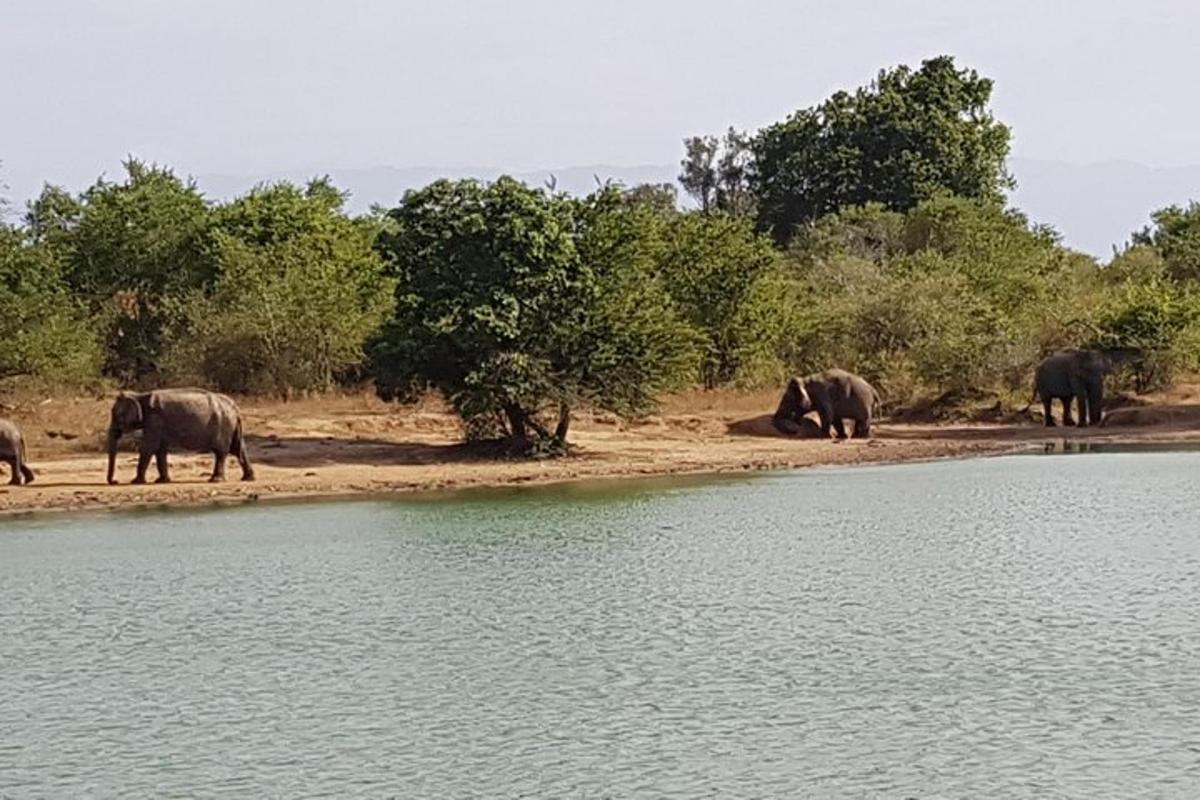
[[519, 306]]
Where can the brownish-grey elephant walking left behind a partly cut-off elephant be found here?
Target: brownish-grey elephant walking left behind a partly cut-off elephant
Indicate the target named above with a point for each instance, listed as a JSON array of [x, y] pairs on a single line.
[[188, 419]]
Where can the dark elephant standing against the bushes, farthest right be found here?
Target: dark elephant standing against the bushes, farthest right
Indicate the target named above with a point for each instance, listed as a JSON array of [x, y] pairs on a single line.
[[1076, 376]]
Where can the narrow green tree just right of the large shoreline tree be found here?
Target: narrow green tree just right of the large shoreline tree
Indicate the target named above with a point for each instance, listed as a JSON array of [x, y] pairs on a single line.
[[712, 266]]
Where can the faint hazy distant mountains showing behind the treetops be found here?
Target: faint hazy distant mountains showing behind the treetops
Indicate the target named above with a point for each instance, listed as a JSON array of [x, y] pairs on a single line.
[[1095, 207]]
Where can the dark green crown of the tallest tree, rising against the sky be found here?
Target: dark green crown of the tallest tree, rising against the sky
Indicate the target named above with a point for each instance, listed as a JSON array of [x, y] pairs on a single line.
[[907, 137]]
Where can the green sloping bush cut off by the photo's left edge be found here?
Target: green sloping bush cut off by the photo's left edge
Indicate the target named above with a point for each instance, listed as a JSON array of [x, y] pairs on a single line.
[[46, 332]]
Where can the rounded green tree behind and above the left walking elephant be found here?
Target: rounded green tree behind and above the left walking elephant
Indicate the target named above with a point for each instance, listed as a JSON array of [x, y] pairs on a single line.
[[299, 291]]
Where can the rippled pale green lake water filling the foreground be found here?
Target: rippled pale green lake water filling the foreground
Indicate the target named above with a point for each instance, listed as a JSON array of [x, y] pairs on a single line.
[[1022, 627]]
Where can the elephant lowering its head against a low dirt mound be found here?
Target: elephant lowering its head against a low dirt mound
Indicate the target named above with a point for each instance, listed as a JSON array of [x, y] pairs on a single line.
[[836, 395]]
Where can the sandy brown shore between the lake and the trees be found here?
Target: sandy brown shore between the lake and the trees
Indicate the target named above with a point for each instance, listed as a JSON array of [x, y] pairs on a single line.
[[357, 446]]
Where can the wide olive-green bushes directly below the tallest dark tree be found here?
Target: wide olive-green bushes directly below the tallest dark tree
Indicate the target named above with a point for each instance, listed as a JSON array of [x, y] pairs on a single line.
[[951, 299]]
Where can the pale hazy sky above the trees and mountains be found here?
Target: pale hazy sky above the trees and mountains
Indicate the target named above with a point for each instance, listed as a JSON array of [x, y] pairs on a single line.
[[251, 87]]
